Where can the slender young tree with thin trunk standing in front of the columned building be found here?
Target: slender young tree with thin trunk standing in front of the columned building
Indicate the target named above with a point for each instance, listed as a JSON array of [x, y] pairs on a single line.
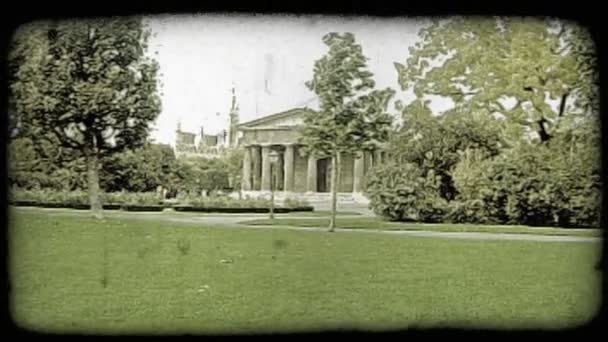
[[352, 116]]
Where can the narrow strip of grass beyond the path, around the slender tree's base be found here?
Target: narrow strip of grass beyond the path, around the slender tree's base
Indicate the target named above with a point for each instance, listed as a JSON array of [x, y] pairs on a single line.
[[379, 224]]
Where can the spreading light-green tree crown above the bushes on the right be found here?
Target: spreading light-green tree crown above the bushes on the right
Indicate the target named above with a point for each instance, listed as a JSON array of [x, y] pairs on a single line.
[[539, 74]]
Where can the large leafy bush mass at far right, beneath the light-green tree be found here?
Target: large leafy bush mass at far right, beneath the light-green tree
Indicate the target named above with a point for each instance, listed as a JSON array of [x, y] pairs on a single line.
[[548, 184]]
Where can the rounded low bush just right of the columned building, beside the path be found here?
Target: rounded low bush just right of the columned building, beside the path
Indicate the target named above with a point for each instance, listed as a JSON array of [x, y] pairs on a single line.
[[399, 191]]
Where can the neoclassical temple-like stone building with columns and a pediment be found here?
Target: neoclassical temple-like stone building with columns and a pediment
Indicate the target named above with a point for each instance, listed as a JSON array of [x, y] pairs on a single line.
[[296, 172]]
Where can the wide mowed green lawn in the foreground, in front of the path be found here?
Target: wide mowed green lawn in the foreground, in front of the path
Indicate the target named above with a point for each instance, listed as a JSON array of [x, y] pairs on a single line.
[[187, 278]]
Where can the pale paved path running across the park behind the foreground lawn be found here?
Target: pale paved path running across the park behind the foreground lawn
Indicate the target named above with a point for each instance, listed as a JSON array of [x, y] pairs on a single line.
[[232, 220]]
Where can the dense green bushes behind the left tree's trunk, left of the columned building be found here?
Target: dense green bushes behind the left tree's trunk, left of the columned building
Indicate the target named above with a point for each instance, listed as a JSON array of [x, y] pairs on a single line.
[[42, 165]]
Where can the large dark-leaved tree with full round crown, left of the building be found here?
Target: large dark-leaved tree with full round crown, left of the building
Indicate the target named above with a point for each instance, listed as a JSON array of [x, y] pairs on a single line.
[[91, 84]]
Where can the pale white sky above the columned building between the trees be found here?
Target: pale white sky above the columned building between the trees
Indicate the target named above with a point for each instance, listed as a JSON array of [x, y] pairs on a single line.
[[267, 58]]
